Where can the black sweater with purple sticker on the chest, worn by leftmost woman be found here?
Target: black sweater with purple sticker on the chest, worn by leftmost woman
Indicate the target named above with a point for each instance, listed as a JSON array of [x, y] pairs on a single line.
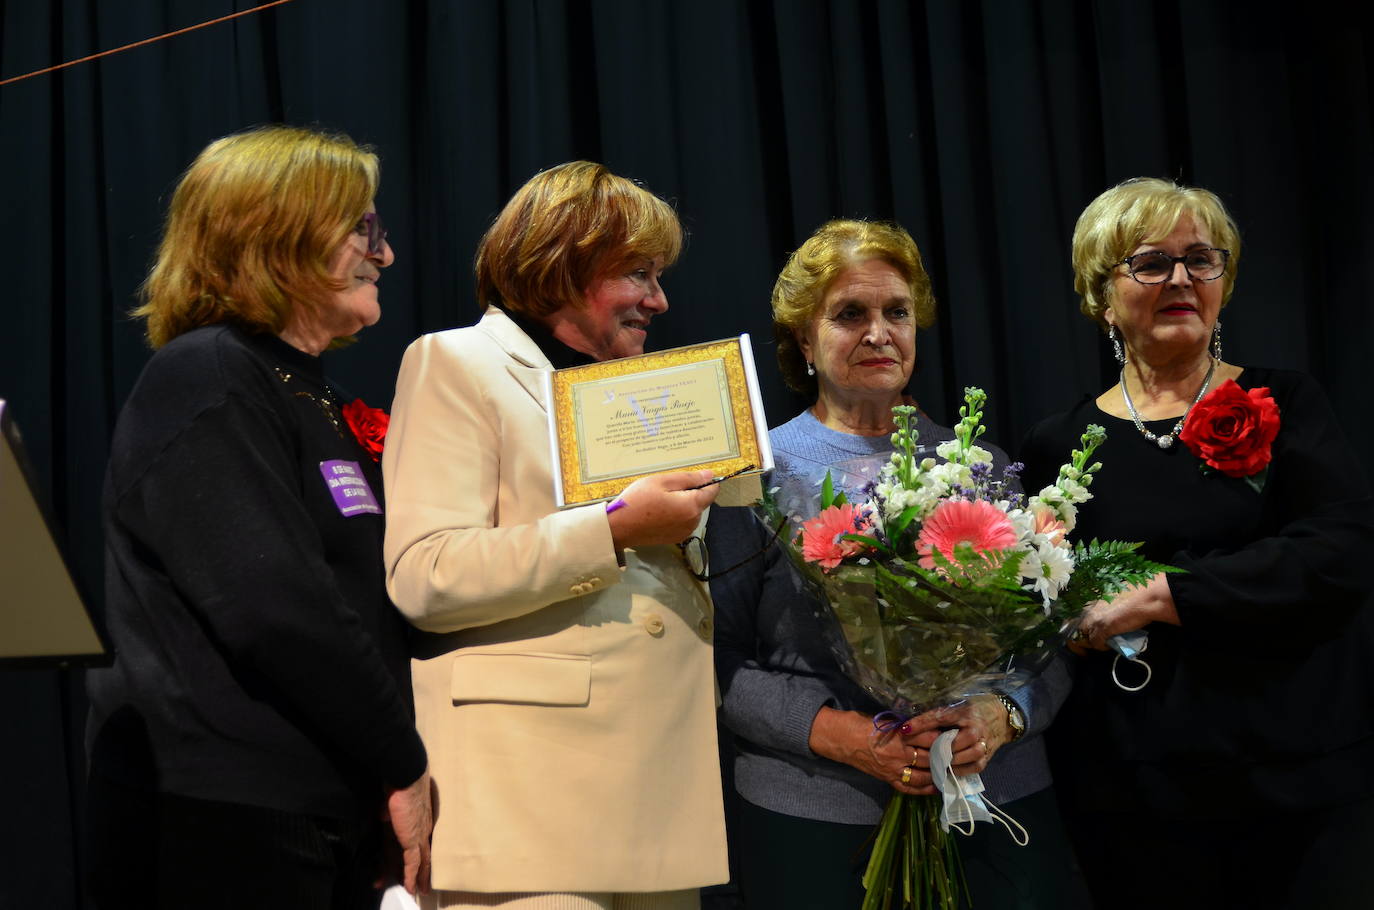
[[258, 656]]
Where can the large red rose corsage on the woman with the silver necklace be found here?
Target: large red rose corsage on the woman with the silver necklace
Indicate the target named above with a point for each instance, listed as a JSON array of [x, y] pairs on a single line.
[[1233, 431]]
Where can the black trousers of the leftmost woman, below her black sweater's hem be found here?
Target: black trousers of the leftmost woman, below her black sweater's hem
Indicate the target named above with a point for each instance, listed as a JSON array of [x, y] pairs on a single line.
[[164, 852]]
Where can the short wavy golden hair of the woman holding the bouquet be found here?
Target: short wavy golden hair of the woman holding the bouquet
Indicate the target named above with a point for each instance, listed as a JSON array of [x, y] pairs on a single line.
[[810, 271]]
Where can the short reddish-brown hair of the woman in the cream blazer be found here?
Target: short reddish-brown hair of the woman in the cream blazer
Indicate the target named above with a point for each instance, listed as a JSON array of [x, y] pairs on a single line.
[[565, 229]]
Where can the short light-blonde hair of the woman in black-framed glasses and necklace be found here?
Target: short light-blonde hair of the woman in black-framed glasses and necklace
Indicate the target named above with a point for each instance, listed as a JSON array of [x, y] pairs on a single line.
[[1142, 211]]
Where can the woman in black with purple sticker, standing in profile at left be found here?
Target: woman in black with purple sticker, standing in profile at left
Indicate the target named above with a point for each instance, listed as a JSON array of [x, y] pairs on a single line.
[[258, 720]]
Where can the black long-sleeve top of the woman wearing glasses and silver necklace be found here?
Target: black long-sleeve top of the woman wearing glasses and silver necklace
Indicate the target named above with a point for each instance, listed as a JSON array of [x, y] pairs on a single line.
[[1262, 699]]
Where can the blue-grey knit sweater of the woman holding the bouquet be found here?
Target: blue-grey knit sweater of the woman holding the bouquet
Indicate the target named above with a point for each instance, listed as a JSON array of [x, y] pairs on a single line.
[[776, 666]]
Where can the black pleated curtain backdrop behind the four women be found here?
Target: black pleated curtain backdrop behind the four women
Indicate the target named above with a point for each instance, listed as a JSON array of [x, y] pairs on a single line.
[[984, 129]]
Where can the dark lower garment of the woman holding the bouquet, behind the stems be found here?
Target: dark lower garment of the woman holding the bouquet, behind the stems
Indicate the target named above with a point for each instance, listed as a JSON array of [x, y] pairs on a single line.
[[798, 864]]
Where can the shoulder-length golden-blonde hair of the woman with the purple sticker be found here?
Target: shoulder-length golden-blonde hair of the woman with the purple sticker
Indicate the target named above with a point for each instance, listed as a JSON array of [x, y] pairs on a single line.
[[252, 227]]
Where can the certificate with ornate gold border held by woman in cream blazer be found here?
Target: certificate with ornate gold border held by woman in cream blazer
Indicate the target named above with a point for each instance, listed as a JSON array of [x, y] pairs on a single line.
[[688, 409]]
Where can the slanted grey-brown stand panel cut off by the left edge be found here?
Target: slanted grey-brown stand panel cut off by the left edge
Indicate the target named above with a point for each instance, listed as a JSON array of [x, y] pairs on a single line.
[[45, 622]]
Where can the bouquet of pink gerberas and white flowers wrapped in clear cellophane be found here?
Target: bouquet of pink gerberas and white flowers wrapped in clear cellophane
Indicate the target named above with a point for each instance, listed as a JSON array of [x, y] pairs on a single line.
[[947, 582]]
